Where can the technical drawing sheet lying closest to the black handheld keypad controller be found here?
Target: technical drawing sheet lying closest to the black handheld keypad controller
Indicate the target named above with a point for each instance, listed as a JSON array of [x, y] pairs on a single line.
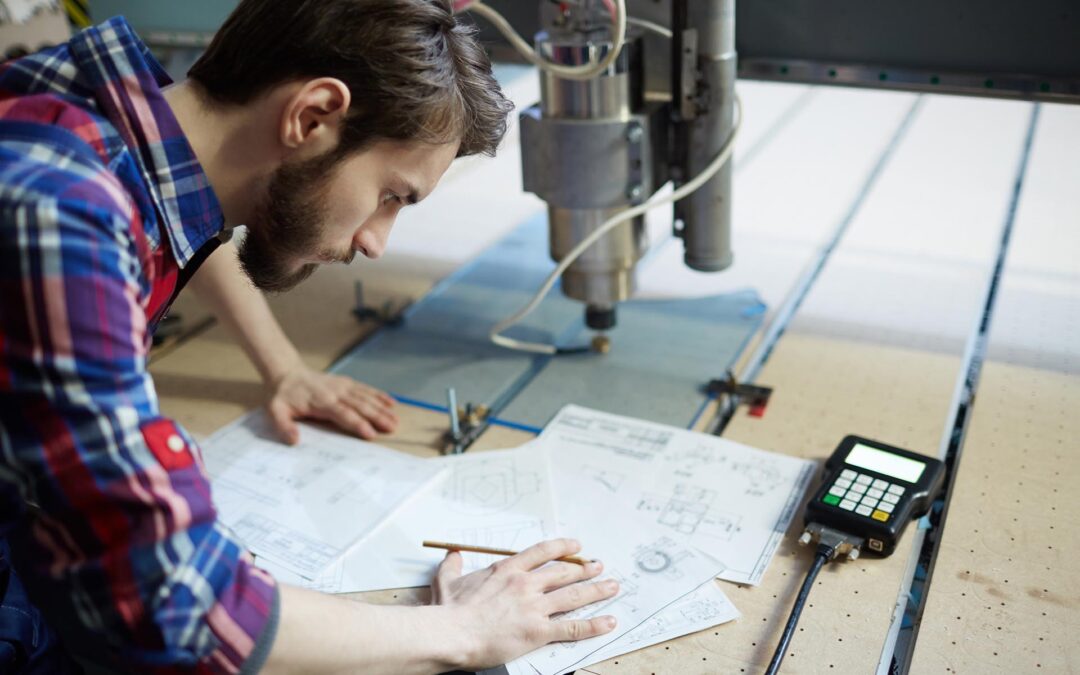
[[730, 501]]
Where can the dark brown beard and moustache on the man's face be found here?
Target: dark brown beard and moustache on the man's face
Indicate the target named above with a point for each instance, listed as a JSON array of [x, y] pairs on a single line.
[[289, 226]]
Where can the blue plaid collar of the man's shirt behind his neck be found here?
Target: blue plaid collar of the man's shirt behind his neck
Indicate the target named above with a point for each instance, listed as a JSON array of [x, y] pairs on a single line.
[[127, 83]]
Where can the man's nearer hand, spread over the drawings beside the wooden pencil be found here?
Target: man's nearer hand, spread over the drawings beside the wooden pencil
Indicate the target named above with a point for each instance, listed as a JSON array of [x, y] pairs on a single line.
[[508, 607]]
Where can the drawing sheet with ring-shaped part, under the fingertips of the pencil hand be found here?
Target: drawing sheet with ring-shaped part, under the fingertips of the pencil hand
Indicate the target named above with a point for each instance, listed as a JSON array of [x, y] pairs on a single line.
[[653, 574]]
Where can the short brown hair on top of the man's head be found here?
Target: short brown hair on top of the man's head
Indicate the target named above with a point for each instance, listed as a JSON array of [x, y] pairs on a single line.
[[414, 72]]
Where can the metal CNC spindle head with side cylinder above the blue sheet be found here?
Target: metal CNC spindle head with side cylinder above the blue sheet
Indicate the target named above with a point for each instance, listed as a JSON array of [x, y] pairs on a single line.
[[663, 111]]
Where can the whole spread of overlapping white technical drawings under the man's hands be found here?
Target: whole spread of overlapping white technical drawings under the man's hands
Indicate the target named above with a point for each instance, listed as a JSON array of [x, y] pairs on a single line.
[[667, 510]]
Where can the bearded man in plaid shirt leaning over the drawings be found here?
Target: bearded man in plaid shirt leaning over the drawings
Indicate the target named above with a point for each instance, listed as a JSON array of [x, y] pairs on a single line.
[[312, 124]]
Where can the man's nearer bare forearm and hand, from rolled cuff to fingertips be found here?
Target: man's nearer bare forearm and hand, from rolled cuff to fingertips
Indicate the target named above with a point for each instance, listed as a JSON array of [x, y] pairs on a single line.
[[479, 620]]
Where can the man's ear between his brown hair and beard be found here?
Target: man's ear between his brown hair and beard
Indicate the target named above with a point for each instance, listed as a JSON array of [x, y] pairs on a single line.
[[314, 116]]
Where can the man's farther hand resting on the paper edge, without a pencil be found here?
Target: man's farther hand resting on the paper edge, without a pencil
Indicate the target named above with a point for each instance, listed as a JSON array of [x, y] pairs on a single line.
[[353, 407]]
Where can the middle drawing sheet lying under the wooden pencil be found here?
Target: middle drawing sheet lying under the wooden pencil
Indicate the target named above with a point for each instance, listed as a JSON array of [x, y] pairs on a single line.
[[501, 499]]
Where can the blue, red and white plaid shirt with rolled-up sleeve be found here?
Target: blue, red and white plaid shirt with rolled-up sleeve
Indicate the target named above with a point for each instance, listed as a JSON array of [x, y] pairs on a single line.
[[104, 213]]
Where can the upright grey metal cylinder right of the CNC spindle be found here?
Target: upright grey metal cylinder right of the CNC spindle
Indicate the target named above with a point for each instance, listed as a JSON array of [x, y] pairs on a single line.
[[707, 214]]
